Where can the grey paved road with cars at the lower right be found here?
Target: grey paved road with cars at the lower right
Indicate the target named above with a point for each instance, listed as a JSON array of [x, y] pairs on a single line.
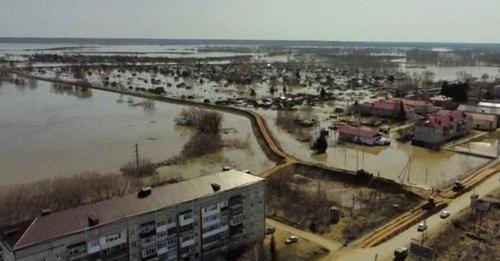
[[435, 224]]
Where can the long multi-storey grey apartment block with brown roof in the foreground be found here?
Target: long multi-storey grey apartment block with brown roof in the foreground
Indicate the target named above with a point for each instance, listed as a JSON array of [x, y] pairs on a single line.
[[197, 219]]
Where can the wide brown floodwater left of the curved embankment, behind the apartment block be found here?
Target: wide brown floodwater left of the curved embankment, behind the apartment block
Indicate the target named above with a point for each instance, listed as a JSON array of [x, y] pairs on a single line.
[[46, 132]]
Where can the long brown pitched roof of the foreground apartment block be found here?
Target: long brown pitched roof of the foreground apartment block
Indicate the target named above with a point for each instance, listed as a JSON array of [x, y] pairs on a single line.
[[75, 220]]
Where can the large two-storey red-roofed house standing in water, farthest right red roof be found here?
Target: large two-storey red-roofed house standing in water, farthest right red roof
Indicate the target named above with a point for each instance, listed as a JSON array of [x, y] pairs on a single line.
[[445, 126]]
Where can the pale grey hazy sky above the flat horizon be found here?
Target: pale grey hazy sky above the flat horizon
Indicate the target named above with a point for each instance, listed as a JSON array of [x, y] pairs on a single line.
[[476, 21]]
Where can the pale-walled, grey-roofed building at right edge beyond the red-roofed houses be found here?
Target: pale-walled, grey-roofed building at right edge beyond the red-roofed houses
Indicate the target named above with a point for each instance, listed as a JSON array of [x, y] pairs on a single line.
[[483, 118]]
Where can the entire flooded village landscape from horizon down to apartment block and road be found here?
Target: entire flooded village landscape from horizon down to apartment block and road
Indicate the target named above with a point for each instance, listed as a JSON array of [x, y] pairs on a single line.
[[386, 126]]
